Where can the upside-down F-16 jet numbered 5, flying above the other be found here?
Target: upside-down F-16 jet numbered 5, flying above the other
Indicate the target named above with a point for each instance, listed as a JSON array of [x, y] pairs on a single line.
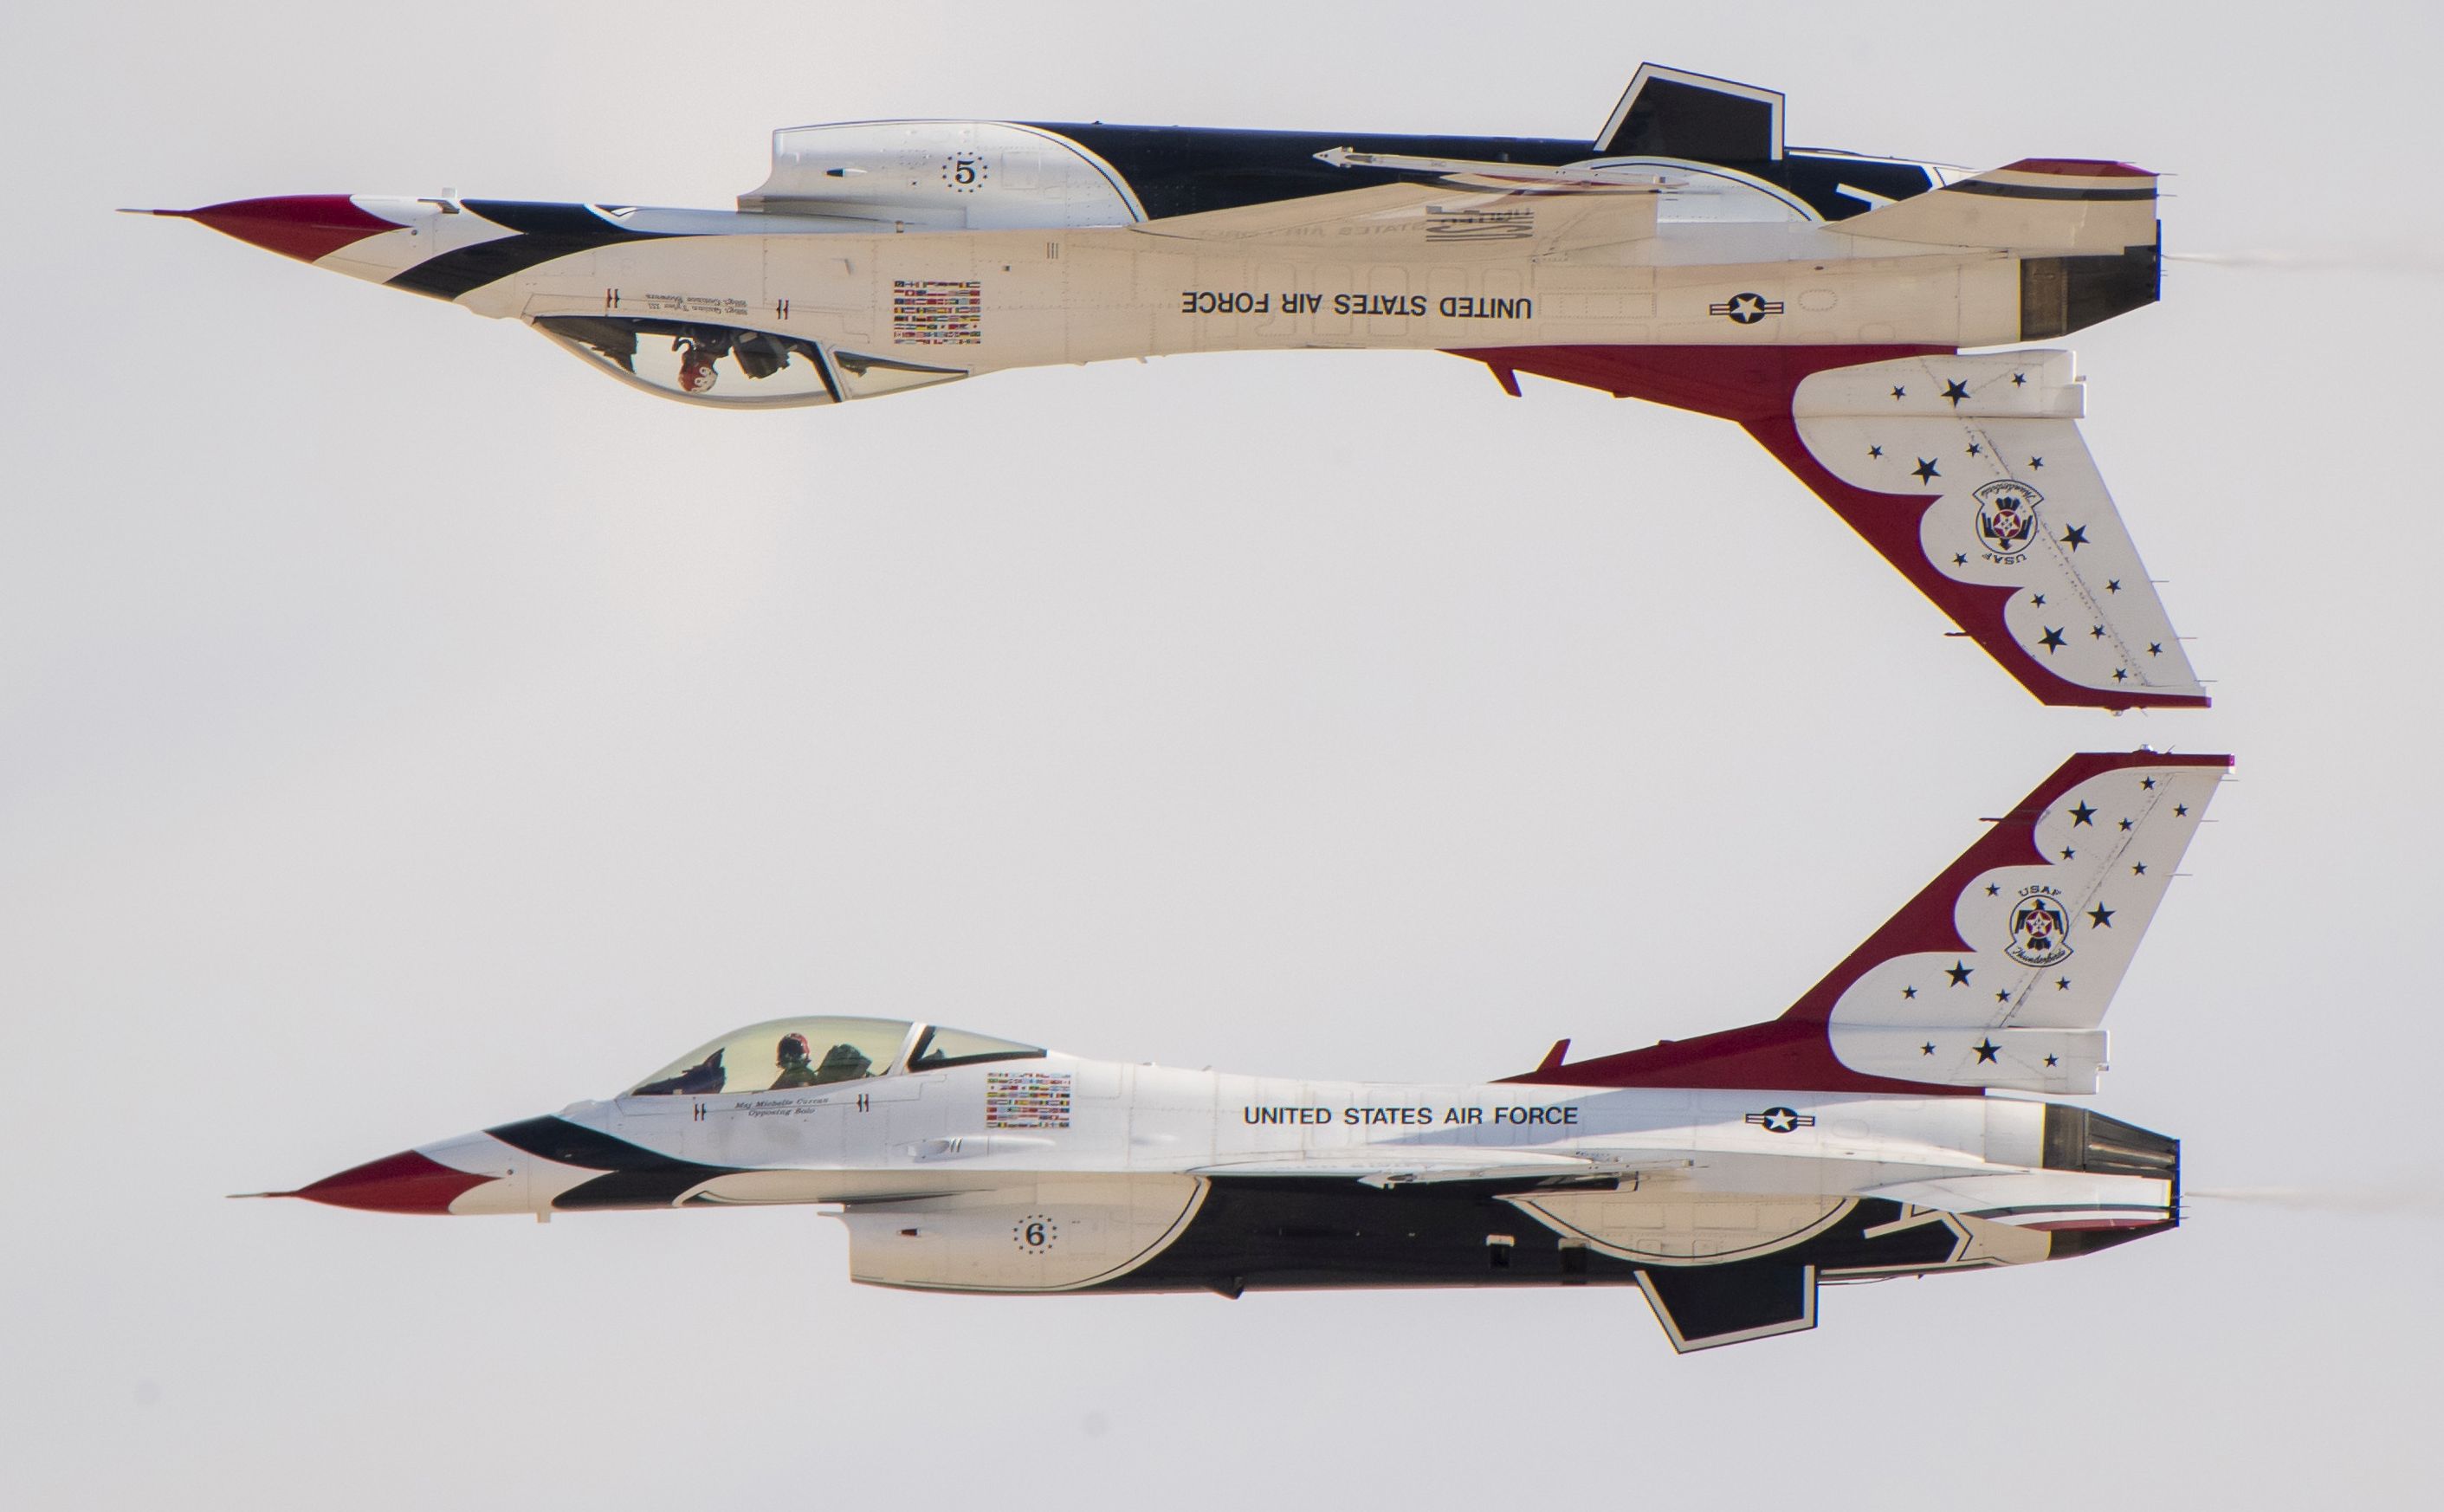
[[1683, 255]]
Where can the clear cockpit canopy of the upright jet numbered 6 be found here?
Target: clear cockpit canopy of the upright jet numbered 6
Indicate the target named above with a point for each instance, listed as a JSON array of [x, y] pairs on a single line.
[[788, 1054]]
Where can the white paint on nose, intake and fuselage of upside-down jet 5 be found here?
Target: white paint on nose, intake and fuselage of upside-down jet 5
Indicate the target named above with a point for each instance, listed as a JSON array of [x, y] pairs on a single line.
[[1067, 267]]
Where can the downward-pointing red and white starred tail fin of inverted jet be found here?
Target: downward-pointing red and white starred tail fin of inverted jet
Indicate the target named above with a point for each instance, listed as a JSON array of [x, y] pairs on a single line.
[[1966, 473]]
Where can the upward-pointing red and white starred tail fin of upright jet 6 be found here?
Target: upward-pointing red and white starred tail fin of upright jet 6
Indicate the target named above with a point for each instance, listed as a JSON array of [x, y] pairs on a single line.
[[1996, 976]]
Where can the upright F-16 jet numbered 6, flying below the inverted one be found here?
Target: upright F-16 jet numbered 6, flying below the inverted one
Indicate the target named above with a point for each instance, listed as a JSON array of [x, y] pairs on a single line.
[[1727, 1176]]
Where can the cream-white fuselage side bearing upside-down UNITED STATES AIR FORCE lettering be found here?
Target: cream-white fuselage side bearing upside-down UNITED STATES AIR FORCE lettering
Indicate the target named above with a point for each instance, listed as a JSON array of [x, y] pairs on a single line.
[[1106, 294]]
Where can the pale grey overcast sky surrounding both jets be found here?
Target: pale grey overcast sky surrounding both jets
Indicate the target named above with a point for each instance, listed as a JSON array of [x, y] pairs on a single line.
[[404, 729]]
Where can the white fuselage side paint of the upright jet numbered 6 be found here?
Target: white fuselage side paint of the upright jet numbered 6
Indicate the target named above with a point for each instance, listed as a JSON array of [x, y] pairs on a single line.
[[935, 1135]]
